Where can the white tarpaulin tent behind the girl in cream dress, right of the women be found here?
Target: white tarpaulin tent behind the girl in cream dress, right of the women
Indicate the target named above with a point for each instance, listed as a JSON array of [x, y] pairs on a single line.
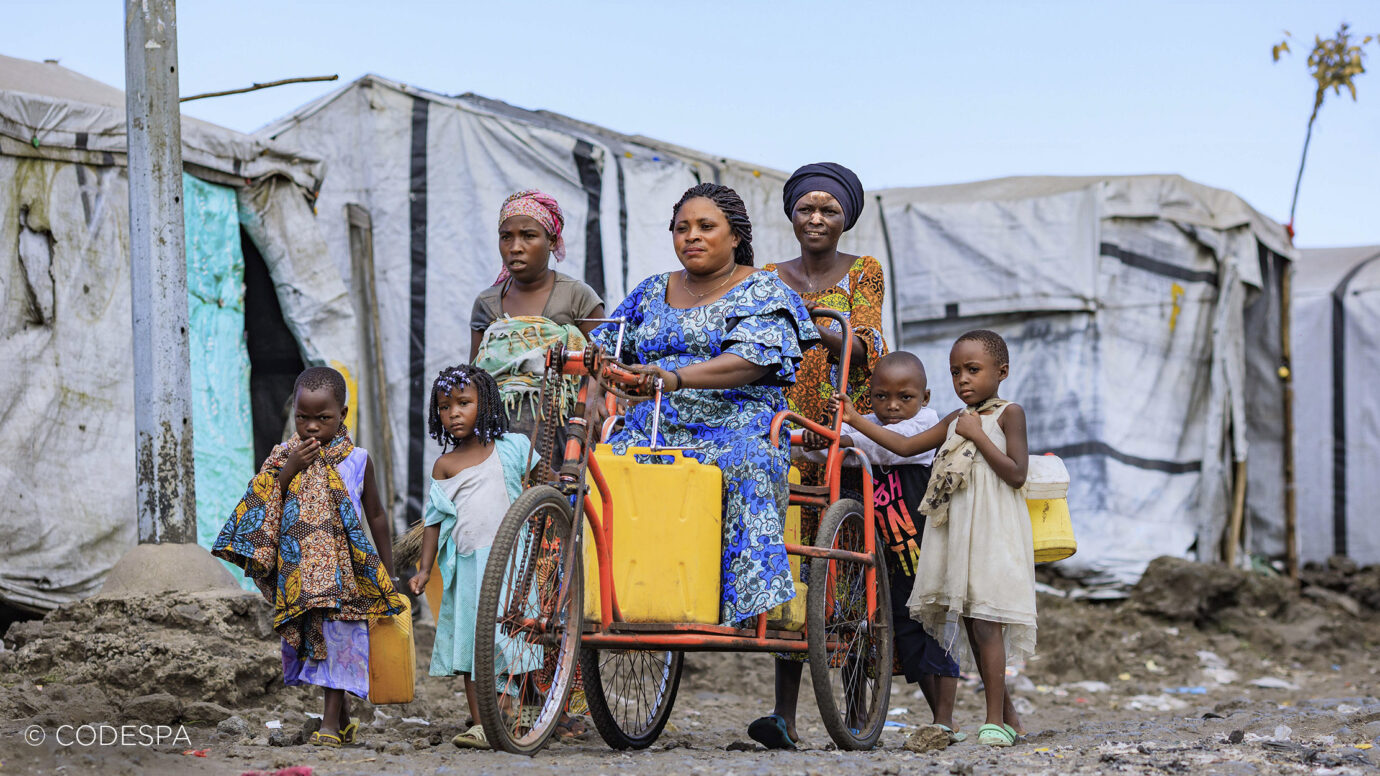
[[1125, 303]]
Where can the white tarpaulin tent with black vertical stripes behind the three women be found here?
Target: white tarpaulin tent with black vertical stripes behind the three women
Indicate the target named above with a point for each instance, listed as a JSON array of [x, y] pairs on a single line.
[[420, 177]]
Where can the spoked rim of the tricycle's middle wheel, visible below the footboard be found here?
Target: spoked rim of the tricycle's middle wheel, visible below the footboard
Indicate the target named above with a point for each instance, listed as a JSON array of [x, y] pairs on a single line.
[[635, 687]]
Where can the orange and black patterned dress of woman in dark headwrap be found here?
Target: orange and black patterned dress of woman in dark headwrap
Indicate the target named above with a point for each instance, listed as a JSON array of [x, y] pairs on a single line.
[[860, 298]]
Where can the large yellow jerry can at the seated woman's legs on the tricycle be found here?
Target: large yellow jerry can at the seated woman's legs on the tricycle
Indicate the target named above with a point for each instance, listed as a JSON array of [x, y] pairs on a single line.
[[667, 538]]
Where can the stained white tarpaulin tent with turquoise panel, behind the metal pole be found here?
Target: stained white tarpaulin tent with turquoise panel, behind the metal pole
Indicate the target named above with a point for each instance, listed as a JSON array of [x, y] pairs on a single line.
[[67, 400]]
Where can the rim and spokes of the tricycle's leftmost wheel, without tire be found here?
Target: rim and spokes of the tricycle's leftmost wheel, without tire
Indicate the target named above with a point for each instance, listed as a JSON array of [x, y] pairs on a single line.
[[533, 634]]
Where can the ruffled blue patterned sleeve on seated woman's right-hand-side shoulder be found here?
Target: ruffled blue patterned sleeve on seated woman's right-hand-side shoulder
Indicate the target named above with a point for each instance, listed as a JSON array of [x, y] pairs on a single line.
[[768, 325]]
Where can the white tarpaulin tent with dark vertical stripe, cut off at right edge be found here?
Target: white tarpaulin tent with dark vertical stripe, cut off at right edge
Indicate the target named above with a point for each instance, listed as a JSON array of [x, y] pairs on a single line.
[[1337, 357]]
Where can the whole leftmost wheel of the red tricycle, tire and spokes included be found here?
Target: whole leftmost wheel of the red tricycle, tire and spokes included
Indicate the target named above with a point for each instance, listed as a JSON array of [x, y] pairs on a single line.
[[525, 663]]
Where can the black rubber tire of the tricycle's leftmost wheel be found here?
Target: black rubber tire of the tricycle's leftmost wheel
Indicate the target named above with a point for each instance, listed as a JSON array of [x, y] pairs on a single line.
[[547, 510]]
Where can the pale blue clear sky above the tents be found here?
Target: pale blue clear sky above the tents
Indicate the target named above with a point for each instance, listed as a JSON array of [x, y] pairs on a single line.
[[905, 93]]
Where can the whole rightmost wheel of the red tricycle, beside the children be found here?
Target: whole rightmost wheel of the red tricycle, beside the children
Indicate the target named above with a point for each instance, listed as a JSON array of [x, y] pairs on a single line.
[[851, 648]]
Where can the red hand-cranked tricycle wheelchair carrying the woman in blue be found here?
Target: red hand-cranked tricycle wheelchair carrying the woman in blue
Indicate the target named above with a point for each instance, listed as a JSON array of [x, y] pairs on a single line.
[[533, 629]]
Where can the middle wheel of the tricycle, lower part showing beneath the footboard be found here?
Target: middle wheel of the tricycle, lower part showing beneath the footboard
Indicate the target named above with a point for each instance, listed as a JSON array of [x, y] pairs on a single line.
[[630, 694]]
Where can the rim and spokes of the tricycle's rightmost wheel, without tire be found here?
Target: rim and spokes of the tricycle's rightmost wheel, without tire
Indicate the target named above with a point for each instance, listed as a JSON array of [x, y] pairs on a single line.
[[852, 646]]
